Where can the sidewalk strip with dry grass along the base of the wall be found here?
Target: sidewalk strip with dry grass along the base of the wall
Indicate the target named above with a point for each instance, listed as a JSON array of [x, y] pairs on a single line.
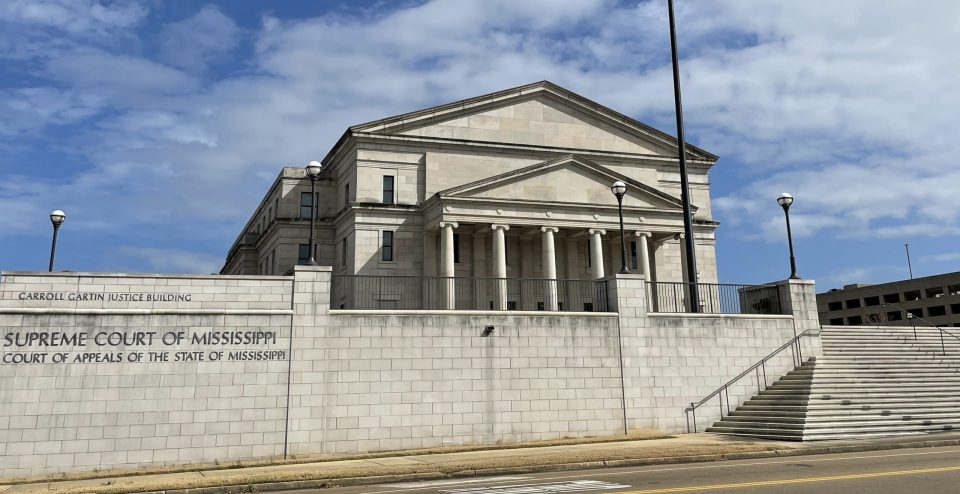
[[436, 464]]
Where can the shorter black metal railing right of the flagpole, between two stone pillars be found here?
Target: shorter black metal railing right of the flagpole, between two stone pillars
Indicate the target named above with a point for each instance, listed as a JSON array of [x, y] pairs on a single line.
[[715, 298]]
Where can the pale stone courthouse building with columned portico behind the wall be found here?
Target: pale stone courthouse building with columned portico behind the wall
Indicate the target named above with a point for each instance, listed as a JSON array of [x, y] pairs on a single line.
[[513, 185]]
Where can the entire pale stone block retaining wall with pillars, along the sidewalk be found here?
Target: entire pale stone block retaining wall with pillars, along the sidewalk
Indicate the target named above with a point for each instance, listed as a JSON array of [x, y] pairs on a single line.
[[119, 371]]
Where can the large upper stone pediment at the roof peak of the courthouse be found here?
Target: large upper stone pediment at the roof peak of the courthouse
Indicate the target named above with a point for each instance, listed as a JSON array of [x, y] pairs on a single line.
[[540, 114]]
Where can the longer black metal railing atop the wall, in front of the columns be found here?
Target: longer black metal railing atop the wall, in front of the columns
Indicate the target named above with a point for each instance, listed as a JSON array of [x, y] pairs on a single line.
[[452, 293]]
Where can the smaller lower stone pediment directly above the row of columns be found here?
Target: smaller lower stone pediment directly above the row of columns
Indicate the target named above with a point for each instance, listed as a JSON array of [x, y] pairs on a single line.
[[569, 179]]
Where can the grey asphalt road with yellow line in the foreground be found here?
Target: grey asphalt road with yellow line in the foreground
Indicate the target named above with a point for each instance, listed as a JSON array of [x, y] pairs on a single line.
[[913, 471]]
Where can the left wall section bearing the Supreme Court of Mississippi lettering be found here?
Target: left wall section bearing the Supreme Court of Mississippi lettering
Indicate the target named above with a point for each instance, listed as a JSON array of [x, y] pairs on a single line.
[[103, 371]]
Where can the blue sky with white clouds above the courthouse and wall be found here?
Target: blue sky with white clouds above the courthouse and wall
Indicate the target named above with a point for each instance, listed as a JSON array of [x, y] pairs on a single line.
[[157, 126]]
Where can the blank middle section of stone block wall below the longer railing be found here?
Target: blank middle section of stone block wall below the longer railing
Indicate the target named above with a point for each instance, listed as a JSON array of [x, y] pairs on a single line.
[[383, 382]]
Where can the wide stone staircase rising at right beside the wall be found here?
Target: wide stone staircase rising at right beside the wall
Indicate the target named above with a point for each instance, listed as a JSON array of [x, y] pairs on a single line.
[[870, 382]]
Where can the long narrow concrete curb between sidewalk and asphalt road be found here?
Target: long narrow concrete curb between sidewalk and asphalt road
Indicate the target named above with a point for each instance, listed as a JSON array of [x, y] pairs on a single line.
[[354, 481]]
